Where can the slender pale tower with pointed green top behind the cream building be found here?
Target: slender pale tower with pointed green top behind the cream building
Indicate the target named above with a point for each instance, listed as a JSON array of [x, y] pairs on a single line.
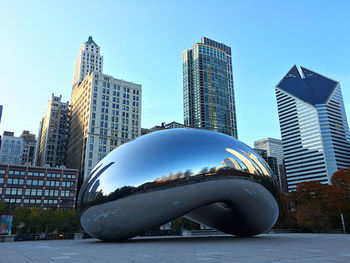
[[89, 59]]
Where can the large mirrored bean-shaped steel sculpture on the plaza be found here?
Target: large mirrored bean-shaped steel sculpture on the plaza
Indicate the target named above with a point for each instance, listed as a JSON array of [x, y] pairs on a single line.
[[208, 177]]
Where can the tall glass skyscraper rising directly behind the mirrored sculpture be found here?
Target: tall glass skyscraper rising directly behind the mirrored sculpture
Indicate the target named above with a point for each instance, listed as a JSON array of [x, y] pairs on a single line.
[[208, 92]]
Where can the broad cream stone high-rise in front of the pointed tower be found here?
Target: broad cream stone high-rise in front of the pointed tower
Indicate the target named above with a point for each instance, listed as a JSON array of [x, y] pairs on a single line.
[[105, 113]]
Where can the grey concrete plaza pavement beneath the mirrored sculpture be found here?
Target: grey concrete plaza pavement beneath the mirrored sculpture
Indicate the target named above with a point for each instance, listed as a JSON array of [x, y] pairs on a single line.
[[286, 248]]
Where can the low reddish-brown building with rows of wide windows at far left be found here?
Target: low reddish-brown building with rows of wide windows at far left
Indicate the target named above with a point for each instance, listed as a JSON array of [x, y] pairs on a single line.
[[44, 187]]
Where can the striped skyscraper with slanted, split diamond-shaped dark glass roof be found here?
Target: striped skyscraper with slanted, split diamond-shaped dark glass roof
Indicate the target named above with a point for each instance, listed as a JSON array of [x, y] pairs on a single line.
[[314, 127]]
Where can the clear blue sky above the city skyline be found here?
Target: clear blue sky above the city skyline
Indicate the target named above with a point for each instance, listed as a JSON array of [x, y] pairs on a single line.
[[142, 42]]
